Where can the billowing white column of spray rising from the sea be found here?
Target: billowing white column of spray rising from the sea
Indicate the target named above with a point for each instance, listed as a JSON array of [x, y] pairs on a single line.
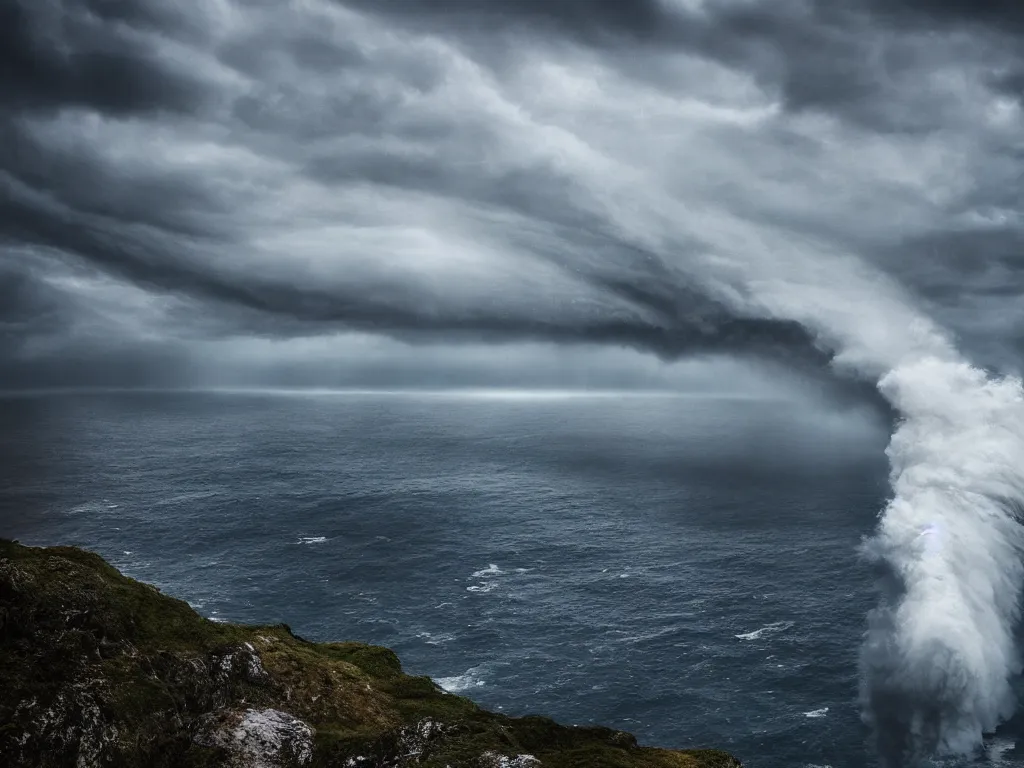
[[940, 654]]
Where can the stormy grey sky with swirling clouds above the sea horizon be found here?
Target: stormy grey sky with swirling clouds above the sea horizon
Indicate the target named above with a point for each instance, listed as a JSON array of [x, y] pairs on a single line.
[[604, 193]]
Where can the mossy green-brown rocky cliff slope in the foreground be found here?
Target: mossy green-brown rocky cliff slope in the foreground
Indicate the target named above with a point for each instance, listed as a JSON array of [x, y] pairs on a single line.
[[99, 670]]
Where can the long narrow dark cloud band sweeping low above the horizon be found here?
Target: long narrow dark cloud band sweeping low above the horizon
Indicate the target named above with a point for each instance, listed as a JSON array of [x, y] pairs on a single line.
[[679, 324]]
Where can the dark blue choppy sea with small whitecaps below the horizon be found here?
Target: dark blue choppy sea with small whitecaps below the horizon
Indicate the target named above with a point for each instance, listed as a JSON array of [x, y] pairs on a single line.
[[685, 568]]
